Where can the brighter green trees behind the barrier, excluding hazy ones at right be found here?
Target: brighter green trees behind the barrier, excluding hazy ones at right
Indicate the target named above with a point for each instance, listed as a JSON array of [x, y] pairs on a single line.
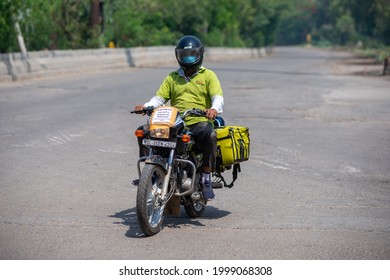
[[64, 24]]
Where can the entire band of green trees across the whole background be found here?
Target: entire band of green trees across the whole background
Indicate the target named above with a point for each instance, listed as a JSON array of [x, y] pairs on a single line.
[[68, 24]]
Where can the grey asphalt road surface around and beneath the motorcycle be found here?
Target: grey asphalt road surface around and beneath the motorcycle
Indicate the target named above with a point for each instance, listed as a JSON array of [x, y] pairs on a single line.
[[317, 185]]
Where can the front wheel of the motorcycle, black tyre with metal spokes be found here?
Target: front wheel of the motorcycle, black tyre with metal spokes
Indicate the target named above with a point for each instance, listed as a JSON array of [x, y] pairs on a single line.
[[150, 211]]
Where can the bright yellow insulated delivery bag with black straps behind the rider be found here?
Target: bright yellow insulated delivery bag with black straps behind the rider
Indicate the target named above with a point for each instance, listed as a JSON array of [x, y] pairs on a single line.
[[233, 144]]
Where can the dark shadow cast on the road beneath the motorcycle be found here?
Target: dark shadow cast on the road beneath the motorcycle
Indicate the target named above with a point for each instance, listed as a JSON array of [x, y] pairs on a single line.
[[129, 218]]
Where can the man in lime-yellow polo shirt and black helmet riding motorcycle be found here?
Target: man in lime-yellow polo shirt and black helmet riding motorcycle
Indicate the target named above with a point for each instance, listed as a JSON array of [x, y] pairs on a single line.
[[193, 86]]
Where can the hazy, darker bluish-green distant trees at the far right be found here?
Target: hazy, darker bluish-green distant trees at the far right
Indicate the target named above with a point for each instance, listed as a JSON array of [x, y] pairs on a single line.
[[336, 21]]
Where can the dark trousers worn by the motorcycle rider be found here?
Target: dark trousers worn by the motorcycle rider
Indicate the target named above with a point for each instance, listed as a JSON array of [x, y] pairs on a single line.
[[205, 139]]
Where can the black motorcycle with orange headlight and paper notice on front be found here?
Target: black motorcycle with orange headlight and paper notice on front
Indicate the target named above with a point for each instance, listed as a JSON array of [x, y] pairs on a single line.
[[170, 173]]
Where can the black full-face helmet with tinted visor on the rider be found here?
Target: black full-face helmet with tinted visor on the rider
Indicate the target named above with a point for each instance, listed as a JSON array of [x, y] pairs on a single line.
[[189, 52]]
